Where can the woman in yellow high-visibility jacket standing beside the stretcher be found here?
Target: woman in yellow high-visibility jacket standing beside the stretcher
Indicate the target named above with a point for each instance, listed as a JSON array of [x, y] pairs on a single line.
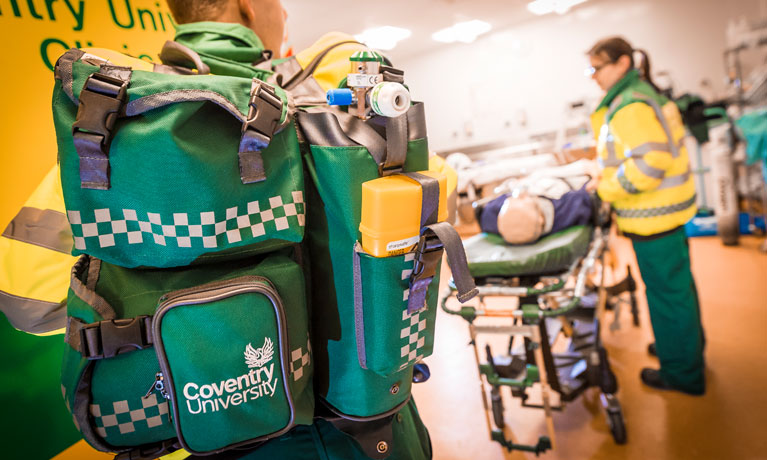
[[645, 175]]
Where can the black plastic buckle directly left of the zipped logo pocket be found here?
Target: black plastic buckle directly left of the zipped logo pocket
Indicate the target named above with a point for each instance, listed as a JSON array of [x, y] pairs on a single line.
[[106, 339]]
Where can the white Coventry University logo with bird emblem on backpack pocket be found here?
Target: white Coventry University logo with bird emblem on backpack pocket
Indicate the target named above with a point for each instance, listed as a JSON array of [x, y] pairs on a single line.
[[258, 382]]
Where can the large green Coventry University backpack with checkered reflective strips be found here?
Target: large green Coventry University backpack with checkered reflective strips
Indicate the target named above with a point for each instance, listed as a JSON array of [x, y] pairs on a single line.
[[201, 314]]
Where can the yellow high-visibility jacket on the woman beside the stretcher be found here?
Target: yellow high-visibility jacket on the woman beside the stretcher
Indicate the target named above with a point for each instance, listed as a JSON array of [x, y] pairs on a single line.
[[645, 166]]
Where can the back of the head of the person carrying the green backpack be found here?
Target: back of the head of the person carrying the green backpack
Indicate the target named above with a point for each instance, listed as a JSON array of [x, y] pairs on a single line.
[[264, 17]]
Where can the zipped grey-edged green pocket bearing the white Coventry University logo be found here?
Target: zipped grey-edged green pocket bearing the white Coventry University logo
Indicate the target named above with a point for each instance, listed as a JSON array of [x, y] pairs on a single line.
[[231, 372]]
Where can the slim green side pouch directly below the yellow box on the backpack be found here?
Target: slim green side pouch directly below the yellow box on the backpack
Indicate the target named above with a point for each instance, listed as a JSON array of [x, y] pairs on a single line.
[[389, 338]]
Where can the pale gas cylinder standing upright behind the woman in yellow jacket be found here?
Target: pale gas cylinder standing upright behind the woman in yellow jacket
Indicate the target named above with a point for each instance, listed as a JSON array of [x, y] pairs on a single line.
[[725, 197]]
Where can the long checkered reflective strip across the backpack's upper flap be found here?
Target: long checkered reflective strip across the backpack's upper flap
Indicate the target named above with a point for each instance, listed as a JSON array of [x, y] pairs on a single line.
[[106, 228]]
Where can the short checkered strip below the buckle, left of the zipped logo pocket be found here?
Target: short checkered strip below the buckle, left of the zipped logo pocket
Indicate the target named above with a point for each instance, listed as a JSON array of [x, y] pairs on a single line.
[[124, 418]]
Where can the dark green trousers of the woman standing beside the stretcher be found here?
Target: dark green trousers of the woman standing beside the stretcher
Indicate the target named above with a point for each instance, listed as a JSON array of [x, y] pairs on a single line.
[[664, 263]]
